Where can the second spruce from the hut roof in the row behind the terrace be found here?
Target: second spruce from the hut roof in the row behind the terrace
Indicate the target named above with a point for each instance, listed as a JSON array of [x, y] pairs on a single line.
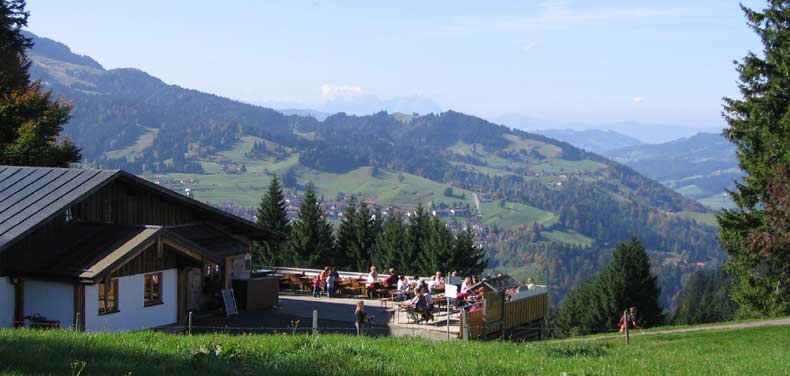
[[311, 240]]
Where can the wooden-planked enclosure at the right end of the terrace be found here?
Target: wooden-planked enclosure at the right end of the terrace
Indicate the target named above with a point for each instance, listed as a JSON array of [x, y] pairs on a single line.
[[508, 309]]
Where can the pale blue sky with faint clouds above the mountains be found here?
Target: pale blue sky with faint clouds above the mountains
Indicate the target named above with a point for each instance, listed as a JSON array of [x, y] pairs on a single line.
[[583, 61]]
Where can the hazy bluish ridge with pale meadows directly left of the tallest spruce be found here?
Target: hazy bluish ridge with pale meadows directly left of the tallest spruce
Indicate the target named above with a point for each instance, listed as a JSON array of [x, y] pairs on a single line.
[[700, 167]]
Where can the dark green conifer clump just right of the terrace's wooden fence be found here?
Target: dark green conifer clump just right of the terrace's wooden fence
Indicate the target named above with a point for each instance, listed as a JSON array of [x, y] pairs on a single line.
[[626, 282]]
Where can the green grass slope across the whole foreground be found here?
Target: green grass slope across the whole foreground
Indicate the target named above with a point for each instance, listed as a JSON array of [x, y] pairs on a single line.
[[760, 351]]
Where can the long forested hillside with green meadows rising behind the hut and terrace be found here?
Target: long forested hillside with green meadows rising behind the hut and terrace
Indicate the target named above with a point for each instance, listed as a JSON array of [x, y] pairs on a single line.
[[534, 192]]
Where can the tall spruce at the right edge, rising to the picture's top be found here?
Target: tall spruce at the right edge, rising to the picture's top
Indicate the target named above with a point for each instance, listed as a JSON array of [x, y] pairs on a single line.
[[759, 126]]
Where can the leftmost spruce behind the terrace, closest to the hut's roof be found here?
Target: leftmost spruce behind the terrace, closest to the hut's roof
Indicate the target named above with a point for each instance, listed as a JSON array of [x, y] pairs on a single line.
[[272, 214]]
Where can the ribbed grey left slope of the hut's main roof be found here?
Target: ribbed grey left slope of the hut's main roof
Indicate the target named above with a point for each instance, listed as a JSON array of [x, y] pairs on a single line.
[[31, 195]]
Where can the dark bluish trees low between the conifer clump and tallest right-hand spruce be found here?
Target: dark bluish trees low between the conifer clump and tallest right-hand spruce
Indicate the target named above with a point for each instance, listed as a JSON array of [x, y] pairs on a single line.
[[705, 298]]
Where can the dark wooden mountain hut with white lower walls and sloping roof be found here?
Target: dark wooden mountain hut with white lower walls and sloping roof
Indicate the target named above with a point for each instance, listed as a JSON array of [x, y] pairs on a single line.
[[108, 251]]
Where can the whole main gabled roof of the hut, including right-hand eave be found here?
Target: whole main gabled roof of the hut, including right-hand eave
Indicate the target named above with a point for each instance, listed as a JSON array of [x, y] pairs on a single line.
[[30, 196]]
